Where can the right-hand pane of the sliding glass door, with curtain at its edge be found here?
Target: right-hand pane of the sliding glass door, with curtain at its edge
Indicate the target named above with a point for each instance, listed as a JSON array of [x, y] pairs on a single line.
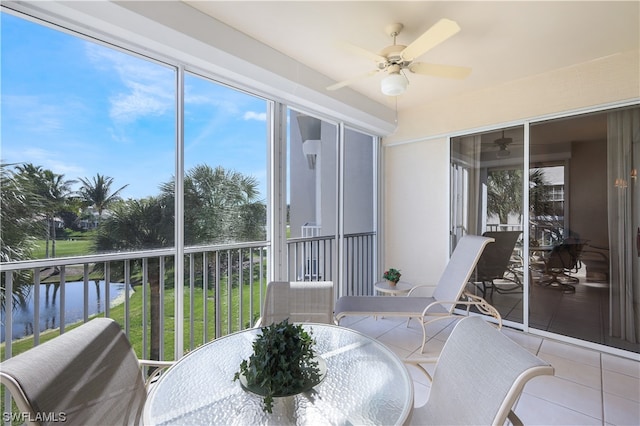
[[583, 227]]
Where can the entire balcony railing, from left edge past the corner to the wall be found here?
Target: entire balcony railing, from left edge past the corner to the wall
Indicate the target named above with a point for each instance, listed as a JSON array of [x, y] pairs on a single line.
[[228, 280]]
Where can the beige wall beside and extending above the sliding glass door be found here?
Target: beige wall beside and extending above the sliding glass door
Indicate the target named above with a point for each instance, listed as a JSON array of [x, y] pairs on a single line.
[[416, 163]]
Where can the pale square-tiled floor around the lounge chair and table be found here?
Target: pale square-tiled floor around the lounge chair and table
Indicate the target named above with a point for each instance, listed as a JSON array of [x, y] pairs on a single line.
[[588, 388]]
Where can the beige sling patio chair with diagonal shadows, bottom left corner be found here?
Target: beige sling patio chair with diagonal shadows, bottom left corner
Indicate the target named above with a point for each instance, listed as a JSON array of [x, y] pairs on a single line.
[[89, 375]]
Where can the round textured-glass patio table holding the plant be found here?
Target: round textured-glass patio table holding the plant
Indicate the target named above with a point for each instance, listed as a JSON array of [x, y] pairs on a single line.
[[366, 383]]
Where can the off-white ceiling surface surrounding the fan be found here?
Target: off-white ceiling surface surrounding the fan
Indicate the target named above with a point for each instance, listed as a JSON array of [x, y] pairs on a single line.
[[501, 41]]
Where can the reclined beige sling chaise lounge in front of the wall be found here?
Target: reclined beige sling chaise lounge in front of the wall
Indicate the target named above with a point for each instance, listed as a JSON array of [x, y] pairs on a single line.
[[449, 293]]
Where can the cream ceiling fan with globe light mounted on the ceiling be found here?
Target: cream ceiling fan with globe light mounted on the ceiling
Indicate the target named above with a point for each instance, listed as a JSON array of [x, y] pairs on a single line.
[[394, 60]]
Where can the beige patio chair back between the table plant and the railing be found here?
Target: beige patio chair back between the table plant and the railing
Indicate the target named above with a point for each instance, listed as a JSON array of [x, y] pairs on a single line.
[[299, 301]]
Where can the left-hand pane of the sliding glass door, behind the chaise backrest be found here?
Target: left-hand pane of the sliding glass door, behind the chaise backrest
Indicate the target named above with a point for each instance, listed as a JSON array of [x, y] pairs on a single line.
[[487, 199]]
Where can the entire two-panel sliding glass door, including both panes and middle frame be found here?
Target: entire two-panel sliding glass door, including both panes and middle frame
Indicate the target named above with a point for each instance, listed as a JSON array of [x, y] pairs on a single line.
[[577, 217]]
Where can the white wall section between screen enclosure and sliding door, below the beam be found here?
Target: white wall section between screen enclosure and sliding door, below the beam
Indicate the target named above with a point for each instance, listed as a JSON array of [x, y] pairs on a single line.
[[416, 210]]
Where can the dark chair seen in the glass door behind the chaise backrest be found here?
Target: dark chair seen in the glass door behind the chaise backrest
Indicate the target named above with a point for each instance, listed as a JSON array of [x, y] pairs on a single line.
[[494, 266]]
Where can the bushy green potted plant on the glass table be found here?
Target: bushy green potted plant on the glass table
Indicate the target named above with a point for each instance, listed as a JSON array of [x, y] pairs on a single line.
[[283, 363]]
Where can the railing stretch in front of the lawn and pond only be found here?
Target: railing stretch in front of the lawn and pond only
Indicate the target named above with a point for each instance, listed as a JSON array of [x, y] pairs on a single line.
[[236, 272]]
